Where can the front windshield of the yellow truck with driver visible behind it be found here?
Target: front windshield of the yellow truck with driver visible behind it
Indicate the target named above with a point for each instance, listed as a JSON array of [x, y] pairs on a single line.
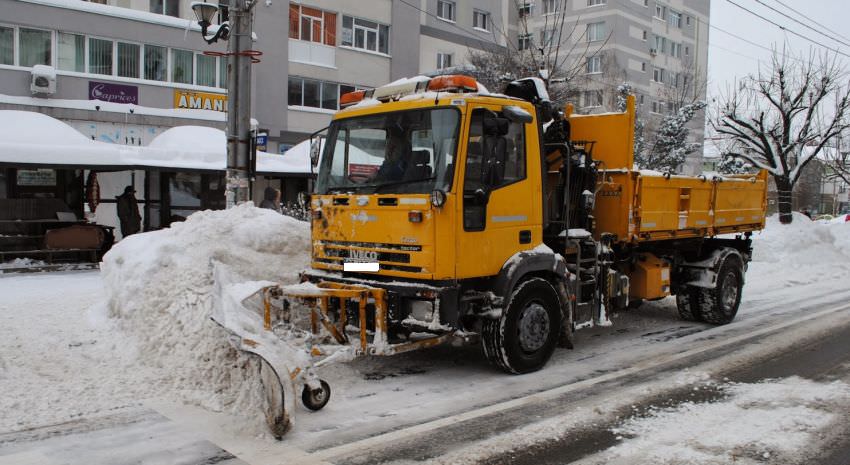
[[391, 153]]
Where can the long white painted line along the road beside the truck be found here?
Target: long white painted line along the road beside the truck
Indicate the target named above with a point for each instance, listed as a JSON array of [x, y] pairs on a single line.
[[377, 441]]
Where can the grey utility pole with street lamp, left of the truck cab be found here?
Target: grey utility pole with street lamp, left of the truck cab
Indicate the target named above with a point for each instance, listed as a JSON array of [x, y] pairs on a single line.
[[236, 28]]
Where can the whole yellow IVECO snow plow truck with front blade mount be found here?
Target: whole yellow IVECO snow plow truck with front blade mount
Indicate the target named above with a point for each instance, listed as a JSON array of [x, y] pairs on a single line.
[[443, 213]]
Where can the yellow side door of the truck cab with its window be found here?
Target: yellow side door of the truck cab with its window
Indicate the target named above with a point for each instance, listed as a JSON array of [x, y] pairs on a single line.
[[498, 201]]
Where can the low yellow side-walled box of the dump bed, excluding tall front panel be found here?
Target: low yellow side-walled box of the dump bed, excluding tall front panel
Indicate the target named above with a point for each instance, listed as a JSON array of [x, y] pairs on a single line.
[[646, 206]]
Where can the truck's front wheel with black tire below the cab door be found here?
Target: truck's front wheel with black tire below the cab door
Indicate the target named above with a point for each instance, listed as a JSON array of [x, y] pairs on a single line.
[[523, 338]]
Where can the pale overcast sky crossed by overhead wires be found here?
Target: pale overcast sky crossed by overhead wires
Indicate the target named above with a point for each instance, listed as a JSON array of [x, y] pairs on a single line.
[[730, 58]]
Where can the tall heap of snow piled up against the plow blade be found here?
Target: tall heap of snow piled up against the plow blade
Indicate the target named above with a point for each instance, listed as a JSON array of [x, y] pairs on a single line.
[[160, 287]]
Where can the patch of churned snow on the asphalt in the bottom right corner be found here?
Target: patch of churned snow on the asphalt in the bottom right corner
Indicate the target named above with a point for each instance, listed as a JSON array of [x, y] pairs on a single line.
[[756, 422]]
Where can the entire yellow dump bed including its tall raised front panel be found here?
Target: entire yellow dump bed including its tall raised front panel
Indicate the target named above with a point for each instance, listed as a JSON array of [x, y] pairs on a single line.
[[642, 206]]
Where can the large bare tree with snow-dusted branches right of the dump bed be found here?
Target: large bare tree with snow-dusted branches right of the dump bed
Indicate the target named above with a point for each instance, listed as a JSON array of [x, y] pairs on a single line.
[[782, 119]]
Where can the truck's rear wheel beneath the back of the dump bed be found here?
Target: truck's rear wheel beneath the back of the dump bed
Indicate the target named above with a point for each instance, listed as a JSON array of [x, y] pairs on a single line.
[[719, 305]]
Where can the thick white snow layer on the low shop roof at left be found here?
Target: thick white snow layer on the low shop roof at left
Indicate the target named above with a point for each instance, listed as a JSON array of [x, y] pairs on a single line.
[[33, 138]]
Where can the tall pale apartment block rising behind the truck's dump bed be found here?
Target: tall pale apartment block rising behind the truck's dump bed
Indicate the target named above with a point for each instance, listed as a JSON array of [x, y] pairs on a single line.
[[659, 47]]
